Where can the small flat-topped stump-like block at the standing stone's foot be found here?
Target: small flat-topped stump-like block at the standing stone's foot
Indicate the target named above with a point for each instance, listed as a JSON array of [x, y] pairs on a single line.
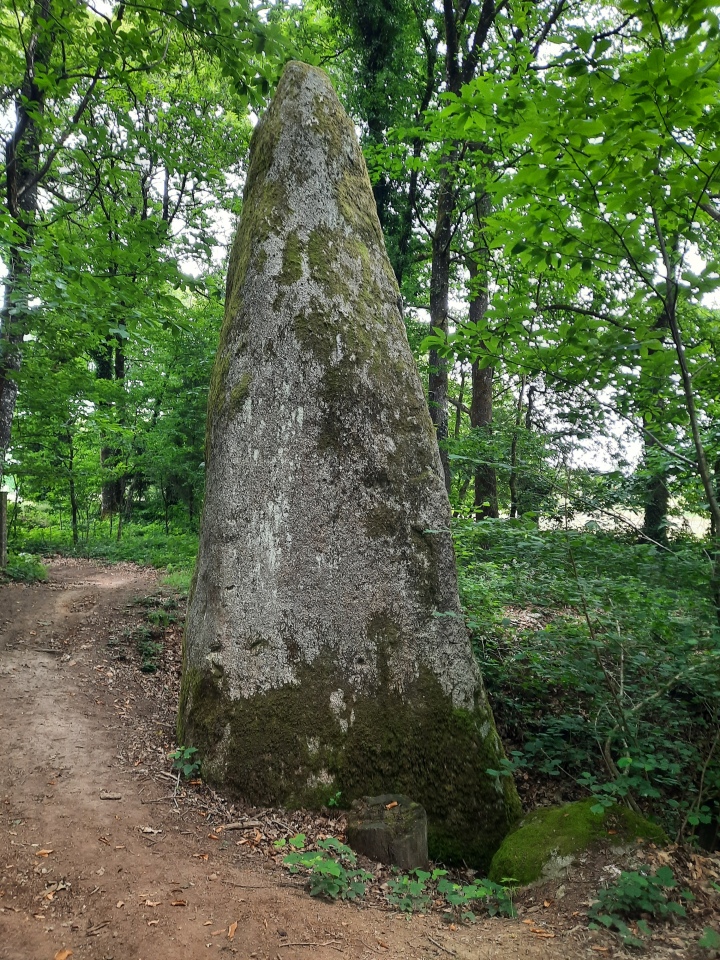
[[390, 829]]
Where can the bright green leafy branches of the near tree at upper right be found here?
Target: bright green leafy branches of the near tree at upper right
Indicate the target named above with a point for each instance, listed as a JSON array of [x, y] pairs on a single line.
[[596, 224]]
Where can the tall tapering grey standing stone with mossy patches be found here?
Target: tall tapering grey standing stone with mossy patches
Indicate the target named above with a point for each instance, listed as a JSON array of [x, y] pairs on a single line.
[[325, 647]]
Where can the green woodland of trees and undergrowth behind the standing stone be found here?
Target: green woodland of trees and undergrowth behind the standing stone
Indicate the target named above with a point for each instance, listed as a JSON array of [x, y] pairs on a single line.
[[547, 177]]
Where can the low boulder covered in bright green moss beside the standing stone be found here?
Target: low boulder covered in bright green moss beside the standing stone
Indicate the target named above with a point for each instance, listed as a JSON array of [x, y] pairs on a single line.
[[548, 839]]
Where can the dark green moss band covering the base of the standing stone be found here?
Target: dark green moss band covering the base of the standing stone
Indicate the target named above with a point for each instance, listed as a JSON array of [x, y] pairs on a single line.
[[411, 742]]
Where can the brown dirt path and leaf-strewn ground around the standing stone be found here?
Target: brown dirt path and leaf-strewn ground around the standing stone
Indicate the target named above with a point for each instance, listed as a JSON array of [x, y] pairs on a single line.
[[104, 856]]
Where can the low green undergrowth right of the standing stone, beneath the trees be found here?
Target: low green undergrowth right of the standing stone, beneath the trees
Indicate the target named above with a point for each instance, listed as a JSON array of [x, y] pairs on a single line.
[[603, 661]]
